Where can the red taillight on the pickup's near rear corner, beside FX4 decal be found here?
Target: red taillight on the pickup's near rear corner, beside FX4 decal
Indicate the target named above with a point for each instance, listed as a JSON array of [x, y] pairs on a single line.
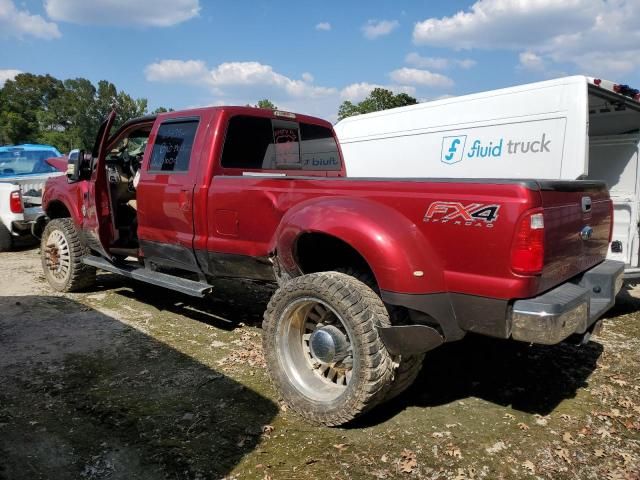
[[527, 250]]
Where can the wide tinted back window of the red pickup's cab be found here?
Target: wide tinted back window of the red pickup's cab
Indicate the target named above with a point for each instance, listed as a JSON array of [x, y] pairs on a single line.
[[257, 143]]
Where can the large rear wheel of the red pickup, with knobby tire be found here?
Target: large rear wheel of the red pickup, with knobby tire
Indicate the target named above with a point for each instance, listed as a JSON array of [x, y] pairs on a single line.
[[322, 347]]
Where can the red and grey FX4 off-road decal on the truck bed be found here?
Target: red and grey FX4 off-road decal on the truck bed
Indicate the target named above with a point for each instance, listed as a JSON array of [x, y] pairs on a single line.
[[472, 215]]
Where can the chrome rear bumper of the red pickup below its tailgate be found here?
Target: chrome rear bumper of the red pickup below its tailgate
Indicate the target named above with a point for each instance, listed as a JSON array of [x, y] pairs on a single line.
[[568, 309]]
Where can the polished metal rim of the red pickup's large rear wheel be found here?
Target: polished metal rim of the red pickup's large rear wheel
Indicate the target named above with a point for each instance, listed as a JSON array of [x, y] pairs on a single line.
[[305, 322]]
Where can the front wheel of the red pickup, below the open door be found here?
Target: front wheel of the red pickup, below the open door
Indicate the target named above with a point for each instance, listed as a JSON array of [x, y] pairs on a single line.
[[61, 251]]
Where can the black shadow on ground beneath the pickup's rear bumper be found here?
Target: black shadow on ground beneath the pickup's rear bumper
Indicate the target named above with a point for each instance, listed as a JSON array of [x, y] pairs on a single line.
[[531, 379]]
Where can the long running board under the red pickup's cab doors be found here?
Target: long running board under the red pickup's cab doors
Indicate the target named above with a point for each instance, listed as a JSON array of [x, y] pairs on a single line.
[[195, 289]]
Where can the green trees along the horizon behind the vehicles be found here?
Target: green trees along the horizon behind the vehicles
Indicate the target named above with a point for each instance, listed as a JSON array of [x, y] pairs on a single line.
[[68, 113]]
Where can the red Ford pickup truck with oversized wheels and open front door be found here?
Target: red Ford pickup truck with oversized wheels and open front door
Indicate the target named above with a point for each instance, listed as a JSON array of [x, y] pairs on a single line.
[[372, 273]]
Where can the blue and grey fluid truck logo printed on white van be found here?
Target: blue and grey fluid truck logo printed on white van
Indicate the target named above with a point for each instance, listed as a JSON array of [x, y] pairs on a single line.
[[453, 148]]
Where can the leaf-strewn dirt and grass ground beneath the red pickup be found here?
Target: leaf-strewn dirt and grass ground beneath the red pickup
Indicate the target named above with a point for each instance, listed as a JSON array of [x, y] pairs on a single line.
[[129, 381]]
